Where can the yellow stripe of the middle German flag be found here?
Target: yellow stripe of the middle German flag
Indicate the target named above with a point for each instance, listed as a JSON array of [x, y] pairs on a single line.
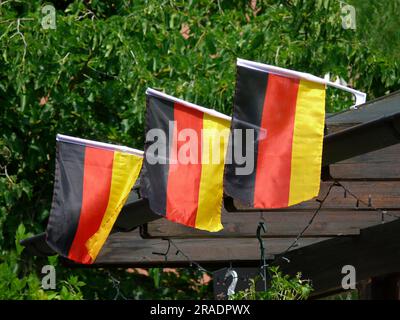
[[214, 145]]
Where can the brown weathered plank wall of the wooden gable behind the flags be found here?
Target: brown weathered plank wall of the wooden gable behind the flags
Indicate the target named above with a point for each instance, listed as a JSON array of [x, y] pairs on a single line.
[[372, 177]]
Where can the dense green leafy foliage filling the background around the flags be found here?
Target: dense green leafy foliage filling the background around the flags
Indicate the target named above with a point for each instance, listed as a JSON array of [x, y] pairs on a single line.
[[87, 78]]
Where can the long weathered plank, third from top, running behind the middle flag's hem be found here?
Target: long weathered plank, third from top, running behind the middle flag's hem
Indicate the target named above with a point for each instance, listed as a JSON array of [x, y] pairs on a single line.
[[278, 224]]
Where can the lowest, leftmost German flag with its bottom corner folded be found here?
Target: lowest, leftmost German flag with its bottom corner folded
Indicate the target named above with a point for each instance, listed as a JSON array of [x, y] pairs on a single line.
[[92, 183]]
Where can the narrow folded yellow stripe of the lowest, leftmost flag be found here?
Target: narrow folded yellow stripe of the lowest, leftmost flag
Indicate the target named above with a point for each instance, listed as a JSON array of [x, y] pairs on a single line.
[[126, 168]]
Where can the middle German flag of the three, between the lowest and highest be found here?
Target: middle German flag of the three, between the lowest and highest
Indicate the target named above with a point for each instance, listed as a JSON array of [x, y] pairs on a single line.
[[182, 174]]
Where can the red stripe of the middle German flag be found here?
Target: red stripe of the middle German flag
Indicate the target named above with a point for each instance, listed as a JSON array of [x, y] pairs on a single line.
[[184, 178]]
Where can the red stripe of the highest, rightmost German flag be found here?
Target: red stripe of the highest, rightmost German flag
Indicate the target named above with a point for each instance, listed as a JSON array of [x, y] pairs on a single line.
[[272, 181]]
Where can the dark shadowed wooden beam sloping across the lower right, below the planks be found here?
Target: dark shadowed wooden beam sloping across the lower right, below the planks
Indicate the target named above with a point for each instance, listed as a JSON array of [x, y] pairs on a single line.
[[374, 252]]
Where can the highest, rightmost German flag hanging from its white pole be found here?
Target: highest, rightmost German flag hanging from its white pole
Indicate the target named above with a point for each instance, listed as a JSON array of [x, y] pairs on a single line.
[[287, 113]]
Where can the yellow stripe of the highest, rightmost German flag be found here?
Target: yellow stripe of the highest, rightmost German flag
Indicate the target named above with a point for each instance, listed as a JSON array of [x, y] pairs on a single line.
[[308, 136]]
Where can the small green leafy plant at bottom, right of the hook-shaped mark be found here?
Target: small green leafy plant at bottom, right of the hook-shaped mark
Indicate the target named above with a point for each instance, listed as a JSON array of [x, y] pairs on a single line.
[[281, 287]]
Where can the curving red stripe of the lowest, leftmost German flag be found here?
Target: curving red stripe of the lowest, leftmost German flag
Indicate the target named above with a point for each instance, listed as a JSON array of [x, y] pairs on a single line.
[[97, 174]]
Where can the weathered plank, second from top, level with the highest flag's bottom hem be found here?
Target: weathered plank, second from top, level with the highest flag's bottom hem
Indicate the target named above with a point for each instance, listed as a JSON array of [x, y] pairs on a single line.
[[384, 194]]
